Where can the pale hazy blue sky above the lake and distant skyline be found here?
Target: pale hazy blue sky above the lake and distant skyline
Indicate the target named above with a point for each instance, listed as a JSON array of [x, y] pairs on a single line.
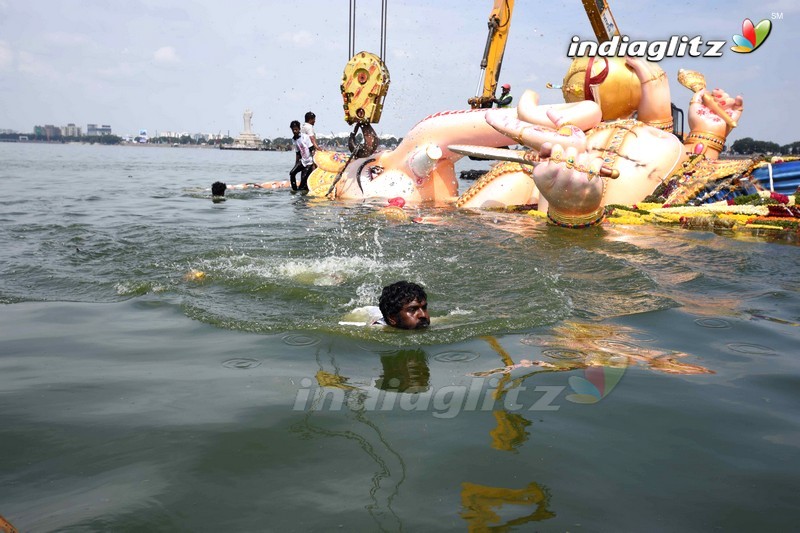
[[195, 66]]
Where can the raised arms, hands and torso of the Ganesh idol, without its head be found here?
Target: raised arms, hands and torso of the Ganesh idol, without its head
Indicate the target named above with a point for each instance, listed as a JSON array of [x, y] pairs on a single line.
[[619, 161]]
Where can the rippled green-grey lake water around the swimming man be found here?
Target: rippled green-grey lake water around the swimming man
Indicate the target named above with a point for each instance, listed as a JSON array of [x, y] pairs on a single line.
[[663, 393]]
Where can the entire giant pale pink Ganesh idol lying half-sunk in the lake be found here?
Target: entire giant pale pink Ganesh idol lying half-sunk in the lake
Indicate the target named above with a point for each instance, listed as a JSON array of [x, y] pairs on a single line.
[[585, 153]]
